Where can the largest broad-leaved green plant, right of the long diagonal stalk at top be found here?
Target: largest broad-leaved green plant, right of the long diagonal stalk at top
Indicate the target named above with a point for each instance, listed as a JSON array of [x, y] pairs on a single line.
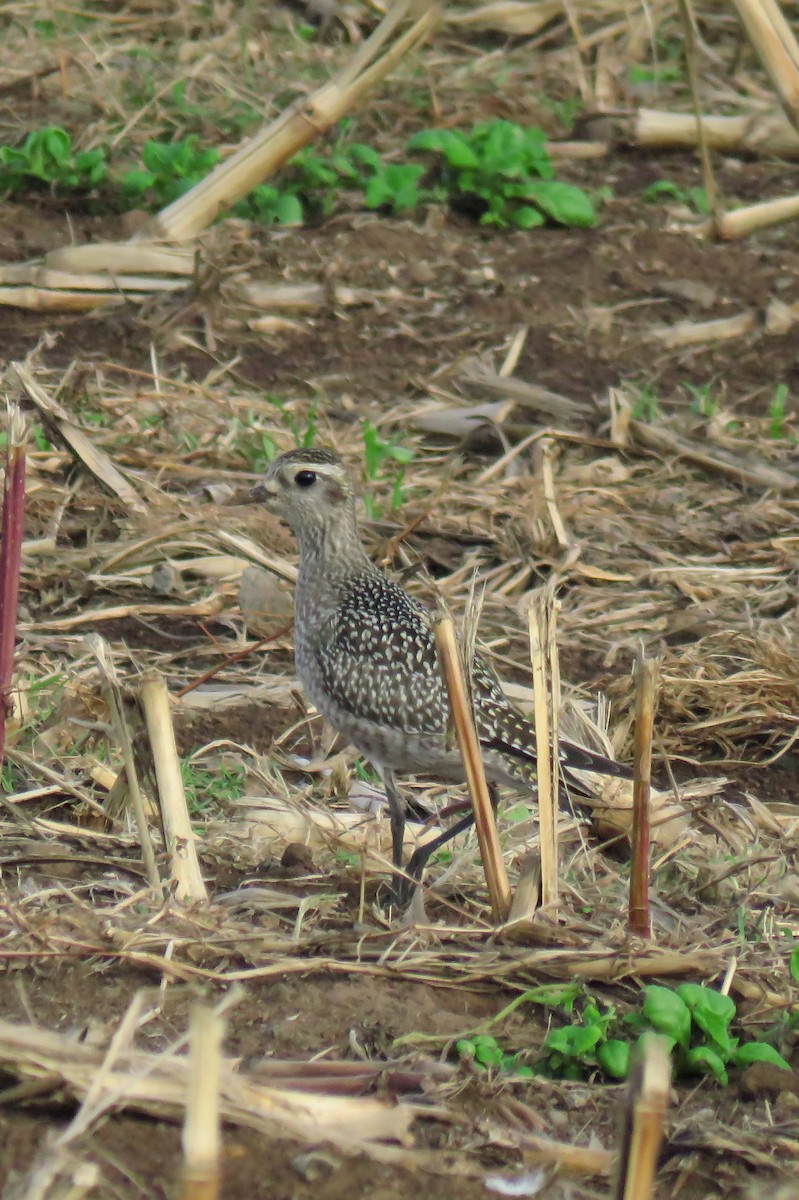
[[503, 173]]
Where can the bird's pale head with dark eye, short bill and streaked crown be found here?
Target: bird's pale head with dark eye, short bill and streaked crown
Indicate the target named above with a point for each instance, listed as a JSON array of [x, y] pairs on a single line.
[[311, 490]]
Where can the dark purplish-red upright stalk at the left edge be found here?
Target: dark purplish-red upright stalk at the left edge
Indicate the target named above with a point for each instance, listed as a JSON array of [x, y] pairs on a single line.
[[14, 513]]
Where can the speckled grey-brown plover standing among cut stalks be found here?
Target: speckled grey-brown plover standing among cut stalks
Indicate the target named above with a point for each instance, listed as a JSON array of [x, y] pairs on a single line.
[[367, 658]]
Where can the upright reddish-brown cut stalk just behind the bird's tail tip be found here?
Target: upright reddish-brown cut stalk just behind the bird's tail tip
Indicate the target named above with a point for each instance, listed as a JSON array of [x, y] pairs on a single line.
[[640, 921]]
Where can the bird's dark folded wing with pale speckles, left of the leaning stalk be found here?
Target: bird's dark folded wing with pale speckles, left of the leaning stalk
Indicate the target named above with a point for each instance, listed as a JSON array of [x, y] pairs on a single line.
[[380, 663]]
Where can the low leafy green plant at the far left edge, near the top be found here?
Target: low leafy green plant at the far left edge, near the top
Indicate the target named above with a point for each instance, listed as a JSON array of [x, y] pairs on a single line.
[[47, 158]]
